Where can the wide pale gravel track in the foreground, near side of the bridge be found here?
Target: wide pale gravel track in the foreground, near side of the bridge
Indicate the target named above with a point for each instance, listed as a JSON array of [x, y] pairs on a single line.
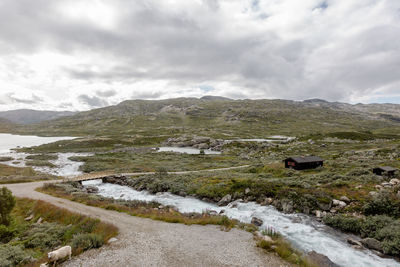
[[144, 242]]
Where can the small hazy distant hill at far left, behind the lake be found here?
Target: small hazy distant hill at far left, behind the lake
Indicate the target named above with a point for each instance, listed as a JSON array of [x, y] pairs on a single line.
[[28, 116]]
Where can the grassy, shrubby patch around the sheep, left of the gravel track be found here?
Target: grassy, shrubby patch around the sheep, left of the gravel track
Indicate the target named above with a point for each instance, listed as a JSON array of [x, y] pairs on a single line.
[[34, 228]]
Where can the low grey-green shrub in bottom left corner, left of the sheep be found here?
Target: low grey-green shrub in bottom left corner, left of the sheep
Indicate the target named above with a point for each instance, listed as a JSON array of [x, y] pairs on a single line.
[[13, 256]]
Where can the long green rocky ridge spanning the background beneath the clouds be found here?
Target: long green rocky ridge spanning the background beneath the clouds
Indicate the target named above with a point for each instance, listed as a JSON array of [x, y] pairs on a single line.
[[221, 118]]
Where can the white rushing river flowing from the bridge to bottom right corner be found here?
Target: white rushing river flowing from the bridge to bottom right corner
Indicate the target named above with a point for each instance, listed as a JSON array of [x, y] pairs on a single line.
[[303, 231]]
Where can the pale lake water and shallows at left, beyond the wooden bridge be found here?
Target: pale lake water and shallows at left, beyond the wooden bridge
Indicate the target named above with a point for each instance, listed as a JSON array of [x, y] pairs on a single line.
[[63, 166]]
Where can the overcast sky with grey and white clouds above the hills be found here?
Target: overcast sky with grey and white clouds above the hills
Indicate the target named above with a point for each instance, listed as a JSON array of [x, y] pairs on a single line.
[[76, 55]]
